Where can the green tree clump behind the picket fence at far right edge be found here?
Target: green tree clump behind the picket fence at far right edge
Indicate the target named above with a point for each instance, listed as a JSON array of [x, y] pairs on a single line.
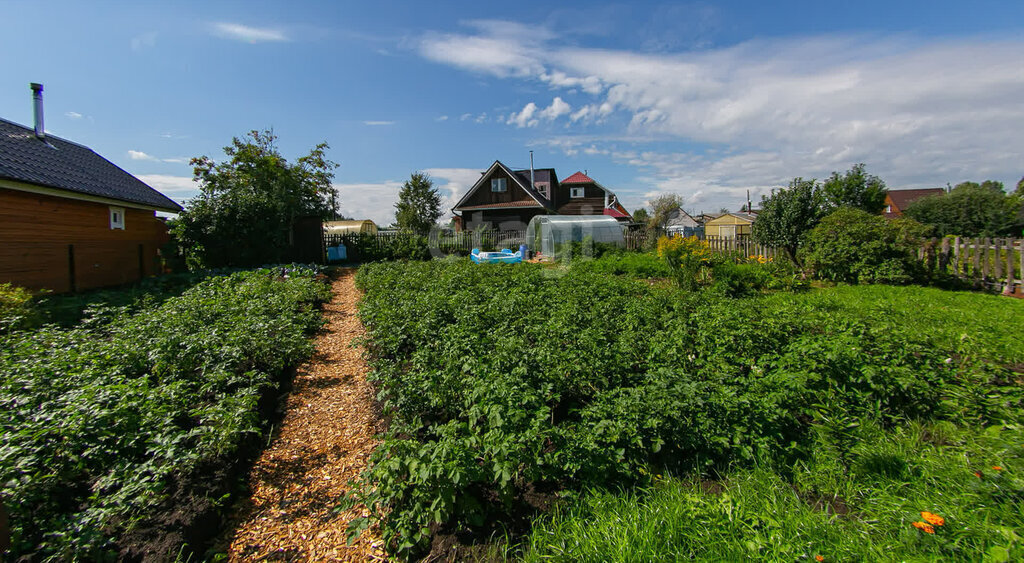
[[970, 210]]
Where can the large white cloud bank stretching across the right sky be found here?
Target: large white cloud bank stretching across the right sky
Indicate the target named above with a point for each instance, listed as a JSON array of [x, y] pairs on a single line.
[[919, 112]]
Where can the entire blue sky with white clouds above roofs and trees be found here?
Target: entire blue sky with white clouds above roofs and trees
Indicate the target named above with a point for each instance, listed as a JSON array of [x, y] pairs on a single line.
[[705, 100]]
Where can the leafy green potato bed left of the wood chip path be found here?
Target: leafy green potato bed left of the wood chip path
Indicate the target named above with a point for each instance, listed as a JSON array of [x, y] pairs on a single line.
[[99, 420]]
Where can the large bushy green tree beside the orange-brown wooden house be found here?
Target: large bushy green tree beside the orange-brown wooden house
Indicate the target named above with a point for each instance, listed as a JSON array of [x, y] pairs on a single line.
[[249, 203]]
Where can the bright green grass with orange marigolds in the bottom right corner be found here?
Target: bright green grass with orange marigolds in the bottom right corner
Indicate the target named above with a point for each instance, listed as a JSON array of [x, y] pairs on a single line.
[[858, 509]]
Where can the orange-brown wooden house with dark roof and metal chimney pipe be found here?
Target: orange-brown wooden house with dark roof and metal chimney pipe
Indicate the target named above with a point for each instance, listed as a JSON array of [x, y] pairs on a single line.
[[70, 220]]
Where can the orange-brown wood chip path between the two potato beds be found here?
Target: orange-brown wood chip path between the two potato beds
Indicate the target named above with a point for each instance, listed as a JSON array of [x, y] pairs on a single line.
[[326, 440]]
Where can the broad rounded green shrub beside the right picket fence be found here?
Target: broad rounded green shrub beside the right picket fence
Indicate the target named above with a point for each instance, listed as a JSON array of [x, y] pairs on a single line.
[[852, 246]]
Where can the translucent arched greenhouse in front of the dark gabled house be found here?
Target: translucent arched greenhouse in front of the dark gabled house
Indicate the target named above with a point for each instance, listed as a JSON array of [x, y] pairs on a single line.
[[553, 236]]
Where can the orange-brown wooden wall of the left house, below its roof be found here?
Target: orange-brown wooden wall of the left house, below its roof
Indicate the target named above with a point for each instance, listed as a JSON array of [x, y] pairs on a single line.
[[65, 245]]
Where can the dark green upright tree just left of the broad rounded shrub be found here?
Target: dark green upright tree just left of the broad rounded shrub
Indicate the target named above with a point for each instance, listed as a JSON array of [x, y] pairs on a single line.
[[787, 215]]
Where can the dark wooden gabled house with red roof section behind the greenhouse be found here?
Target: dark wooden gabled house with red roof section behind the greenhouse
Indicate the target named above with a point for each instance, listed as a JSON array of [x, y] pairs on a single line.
[[507, 200]]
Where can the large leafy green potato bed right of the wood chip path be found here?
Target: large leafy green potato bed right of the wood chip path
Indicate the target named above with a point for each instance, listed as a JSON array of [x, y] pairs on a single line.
[[499, 380]]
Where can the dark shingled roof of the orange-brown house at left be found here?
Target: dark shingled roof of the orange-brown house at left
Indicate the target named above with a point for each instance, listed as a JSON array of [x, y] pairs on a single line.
[[66, 165]]
